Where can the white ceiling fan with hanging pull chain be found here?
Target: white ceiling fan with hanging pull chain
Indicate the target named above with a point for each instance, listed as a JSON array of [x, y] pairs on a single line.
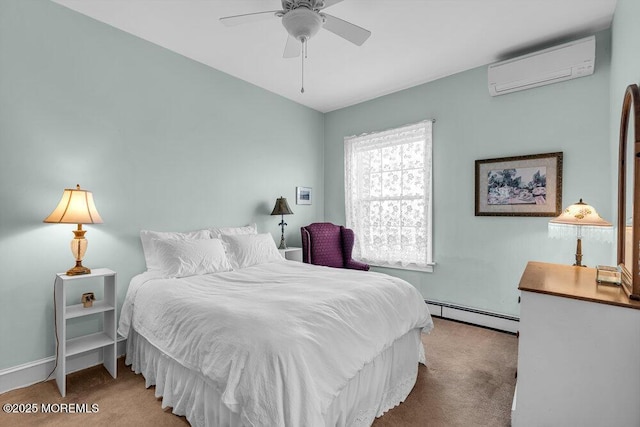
[[303, 19]]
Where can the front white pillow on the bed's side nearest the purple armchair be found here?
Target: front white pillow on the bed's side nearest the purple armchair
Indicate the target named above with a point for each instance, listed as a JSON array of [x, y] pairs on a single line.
[[245, 250]]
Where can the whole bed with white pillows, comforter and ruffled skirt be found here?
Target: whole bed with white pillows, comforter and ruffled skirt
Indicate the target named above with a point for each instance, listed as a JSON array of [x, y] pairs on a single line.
[[232, 334]]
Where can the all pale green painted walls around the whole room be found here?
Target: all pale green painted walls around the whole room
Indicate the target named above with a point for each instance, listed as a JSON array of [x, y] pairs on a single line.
[[168, 144]]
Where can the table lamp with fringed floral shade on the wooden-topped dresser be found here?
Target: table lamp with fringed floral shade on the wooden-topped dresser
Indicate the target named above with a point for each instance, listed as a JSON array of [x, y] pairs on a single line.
[[582, 221]]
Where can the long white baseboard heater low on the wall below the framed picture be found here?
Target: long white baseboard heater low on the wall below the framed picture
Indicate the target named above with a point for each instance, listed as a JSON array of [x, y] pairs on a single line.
[[488, 319]]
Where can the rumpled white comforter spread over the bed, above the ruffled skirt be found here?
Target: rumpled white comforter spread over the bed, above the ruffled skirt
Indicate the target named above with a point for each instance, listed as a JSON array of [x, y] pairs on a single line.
[[278, 340]]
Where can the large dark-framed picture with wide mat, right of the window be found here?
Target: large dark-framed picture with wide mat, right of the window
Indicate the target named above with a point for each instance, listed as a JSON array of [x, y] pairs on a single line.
[[519, 186]]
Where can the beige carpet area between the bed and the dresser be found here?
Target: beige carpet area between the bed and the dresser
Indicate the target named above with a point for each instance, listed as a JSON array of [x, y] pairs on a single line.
[[469, 380]]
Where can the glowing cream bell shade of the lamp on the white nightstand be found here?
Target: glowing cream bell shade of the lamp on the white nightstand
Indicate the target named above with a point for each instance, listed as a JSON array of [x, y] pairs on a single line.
[[75, 207]]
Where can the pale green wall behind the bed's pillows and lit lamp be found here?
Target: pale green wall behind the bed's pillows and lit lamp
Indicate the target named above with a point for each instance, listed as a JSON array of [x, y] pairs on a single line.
[[163, 142]]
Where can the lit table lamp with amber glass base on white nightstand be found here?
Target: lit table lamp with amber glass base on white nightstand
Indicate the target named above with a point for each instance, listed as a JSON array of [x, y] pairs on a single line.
[[76, 207]]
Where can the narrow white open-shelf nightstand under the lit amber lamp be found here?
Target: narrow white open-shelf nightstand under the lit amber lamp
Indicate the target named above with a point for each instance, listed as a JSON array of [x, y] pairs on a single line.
[[106, 340]]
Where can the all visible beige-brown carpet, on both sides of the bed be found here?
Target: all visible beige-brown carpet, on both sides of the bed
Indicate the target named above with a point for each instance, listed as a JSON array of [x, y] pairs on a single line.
[[469, 381]]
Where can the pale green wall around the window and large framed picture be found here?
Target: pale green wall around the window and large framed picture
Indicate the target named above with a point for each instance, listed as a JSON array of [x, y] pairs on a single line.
[[480, 259]]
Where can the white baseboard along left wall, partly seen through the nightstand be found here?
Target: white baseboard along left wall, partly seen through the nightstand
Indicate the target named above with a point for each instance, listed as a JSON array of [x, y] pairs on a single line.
[[34, 372]]
